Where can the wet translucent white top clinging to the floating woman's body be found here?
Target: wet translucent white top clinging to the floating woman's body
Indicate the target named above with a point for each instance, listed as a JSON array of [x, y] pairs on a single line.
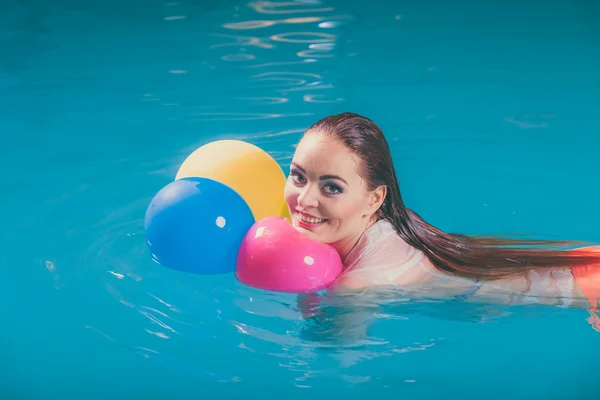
[[381, 258]]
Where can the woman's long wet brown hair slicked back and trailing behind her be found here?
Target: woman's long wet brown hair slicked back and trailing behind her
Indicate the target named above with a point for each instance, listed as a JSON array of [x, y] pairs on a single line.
[[475, 257]]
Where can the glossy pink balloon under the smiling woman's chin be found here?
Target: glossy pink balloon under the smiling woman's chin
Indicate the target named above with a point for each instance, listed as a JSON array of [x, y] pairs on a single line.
[[275, 256]]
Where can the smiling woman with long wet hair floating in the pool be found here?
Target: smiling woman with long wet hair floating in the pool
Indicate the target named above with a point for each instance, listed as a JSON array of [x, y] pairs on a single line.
[[342, 190]]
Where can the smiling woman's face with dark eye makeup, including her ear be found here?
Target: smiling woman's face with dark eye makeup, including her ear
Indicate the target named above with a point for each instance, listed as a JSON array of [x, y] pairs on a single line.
[[326, 197]]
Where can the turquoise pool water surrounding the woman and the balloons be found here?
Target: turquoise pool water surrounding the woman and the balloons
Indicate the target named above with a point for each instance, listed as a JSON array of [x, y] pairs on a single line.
[[491, 109]]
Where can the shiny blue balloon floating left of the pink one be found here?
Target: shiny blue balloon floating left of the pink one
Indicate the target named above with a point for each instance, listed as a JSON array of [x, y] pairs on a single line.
[[197, 225]]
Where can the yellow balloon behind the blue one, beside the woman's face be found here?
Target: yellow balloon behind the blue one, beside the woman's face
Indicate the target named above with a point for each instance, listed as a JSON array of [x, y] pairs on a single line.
[[245, 168]]
